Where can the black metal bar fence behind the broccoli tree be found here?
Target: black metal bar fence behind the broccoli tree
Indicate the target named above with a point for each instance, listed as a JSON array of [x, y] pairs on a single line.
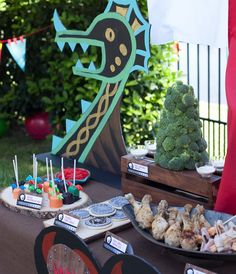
[[204, 69]]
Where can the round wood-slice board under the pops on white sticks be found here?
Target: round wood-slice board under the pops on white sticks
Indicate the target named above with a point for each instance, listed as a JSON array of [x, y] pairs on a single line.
[[45, 212]]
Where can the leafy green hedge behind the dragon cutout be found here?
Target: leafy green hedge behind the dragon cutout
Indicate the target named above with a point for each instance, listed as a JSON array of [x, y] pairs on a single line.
[[48, 82]]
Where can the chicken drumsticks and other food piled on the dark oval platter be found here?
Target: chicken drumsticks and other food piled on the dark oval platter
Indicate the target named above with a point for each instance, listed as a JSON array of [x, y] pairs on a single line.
[[187, 228]]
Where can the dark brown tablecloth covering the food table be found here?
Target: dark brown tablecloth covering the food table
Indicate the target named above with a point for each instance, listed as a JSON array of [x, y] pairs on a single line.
[[18, 233]]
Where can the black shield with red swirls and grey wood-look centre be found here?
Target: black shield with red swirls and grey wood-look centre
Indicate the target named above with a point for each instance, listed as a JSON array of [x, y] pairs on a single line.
[[57, 250]]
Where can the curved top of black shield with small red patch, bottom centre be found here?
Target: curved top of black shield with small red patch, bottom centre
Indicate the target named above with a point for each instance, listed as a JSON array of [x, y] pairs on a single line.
[[127, 264]]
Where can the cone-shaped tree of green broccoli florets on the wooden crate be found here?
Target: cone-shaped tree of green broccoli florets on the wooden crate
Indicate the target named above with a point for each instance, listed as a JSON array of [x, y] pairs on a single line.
[[179, 138]]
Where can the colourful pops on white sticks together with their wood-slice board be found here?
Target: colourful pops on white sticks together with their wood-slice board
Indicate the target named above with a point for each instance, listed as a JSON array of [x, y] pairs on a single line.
[[53, 193]]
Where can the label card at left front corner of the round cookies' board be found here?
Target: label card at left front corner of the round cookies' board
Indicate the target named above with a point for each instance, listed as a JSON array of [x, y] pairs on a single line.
[[67, 221]]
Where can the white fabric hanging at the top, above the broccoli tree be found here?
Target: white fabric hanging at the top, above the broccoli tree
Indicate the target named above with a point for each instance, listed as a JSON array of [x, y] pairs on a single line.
[[194, 21]]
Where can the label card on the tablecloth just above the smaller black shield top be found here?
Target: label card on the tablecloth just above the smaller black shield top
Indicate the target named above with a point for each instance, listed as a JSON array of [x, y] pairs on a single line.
[[116, 244]]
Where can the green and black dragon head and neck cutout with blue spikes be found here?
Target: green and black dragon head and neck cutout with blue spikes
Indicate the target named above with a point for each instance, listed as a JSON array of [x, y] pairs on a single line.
[[122, 34]]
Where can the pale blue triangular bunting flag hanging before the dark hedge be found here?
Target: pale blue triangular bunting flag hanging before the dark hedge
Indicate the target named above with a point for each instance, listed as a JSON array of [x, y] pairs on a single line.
[[17, 49]]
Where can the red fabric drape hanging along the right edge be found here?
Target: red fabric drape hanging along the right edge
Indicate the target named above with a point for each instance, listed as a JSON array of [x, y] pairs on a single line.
[[226, 198]]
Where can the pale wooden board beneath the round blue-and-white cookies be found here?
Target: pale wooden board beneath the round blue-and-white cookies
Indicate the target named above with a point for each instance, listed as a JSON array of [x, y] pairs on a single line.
[[88, 234]]
